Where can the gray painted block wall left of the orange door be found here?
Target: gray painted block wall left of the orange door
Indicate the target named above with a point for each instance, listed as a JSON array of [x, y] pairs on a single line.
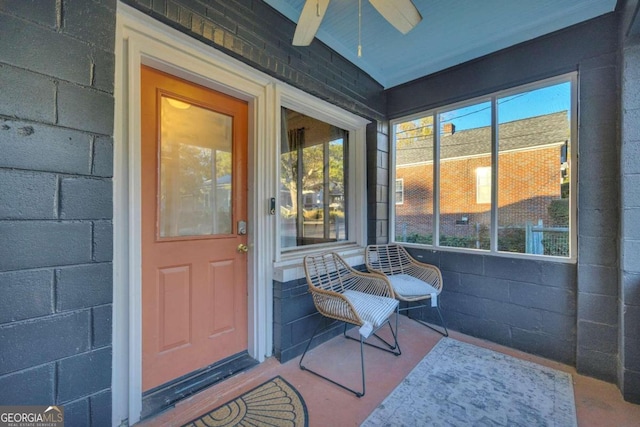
[[56, 126]]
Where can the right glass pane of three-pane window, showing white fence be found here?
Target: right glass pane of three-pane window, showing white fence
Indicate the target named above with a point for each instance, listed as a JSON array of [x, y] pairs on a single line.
[[533, 171]]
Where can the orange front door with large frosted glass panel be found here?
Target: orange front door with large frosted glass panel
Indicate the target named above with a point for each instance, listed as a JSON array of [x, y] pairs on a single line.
[[194, 204]]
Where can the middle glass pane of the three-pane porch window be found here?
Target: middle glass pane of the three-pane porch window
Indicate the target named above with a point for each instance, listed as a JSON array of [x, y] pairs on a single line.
[[465, 177]]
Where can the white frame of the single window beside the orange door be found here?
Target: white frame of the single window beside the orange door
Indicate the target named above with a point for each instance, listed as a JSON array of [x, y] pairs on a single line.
[[294, 99]]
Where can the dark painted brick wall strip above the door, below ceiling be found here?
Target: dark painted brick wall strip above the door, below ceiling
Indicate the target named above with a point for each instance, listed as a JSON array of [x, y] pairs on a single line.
[[253, 32]]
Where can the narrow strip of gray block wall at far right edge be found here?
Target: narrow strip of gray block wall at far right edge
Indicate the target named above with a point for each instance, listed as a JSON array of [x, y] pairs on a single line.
[[629, 370]]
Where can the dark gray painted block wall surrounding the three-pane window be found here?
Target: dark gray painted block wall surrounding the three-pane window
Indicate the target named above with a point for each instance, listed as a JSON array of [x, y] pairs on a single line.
[[562, 311]]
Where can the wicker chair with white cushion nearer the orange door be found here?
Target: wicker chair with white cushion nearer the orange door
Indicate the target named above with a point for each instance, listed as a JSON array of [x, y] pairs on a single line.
[[356, 298]]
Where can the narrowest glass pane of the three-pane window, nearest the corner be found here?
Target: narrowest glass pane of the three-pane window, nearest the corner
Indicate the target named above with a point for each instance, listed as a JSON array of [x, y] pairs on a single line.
[[414, 168]]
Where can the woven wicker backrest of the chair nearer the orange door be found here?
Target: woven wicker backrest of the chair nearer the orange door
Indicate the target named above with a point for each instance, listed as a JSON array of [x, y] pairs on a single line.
[[328, 271]]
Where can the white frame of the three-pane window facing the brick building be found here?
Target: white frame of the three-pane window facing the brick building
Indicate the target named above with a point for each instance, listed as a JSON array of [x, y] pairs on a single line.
[[571, 78]]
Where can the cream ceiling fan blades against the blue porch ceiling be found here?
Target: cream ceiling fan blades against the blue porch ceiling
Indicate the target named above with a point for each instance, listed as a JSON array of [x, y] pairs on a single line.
[[402, 14]]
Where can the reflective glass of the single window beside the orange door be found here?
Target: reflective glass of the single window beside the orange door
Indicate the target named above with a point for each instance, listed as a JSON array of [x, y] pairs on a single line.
[[313, 171]]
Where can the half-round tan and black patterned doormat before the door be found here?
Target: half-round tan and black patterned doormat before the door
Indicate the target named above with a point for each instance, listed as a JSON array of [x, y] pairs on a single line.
[[273, 403]]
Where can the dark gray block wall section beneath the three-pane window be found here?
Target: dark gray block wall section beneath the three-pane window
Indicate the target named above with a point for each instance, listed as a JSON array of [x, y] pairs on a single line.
[[524, 304]]
